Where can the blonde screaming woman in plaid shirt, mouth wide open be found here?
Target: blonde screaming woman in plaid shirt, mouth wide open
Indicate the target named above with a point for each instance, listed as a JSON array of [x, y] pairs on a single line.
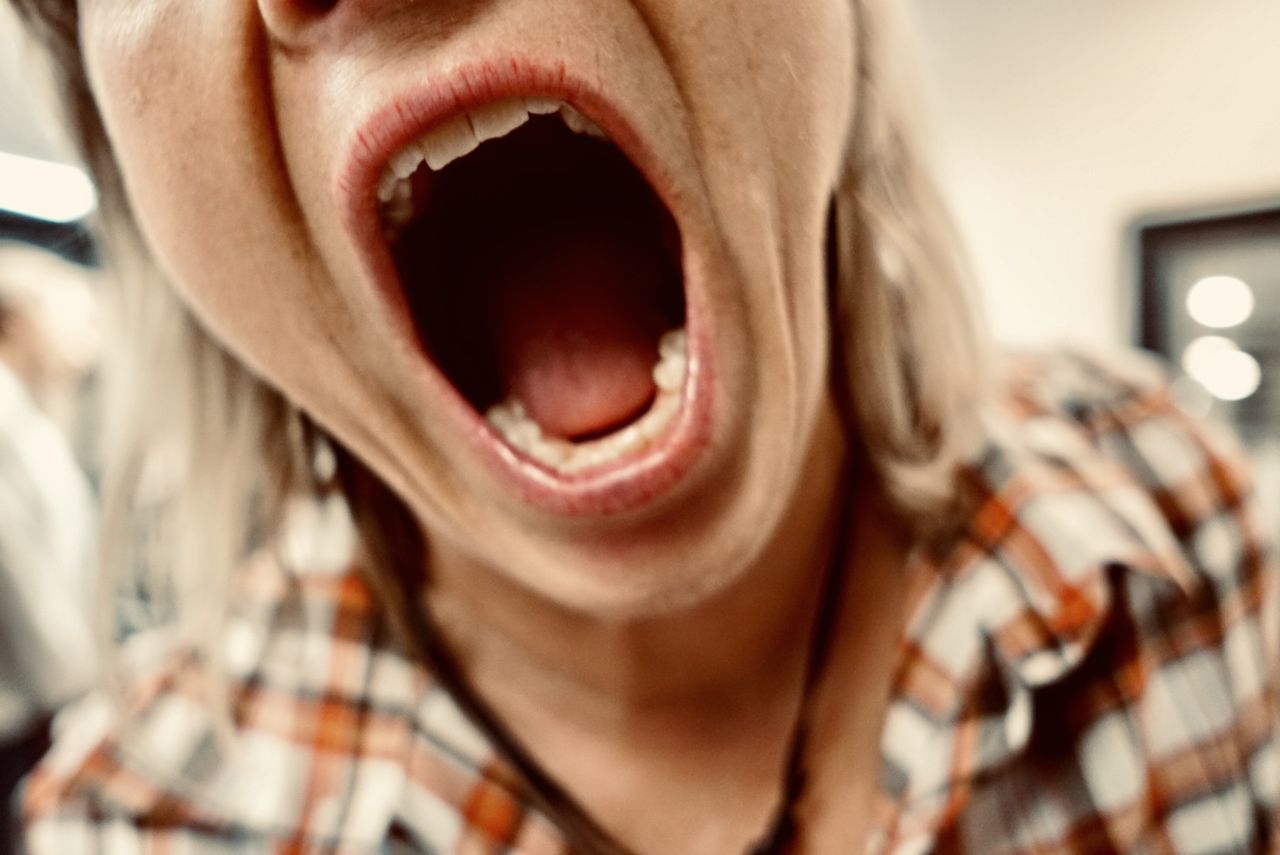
[[633, 340]]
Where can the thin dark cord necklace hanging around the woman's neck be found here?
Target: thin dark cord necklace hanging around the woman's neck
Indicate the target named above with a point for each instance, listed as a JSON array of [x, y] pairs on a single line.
[[582, 833]]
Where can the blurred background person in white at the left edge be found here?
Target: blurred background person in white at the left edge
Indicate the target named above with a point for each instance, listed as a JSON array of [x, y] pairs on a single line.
[[48, 545]]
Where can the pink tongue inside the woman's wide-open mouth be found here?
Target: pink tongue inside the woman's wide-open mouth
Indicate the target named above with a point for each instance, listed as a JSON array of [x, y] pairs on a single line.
[[575, 319]]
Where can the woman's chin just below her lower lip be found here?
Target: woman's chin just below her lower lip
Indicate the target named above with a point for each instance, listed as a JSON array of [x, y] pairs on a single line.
[[680, 555]]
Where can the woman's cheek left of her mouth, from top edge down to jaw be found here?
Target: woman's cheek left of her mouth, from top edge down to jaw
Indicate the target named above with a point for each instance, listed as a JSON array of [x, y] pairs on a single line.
[[185, 99]]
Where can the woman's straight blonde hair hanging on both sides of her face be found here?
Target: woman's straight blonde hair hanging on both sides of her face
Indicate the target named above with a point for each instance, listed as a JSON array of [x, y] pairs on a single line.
[[907, 367]]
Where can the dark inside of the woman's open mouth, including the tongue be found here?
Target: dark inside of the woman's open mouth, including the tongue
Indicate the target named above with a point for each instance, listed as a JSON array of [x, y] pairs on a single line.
[[543, 268]]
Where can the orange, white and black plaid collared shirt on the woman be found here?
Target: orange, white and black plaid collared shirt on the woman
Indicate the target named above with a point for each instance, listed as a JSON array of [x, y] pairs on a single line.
[[1091, 667]]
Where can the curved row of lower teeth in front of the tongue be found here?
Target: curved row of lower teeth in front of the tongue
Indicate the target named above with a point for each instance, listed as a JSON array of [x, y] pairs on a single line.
[[525, 436]]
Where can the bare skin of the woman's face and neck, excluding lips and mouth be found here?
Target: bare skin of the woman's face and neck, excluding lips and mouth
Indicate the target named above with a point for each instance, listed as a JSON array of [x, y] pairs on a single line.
[[662, 647]]
